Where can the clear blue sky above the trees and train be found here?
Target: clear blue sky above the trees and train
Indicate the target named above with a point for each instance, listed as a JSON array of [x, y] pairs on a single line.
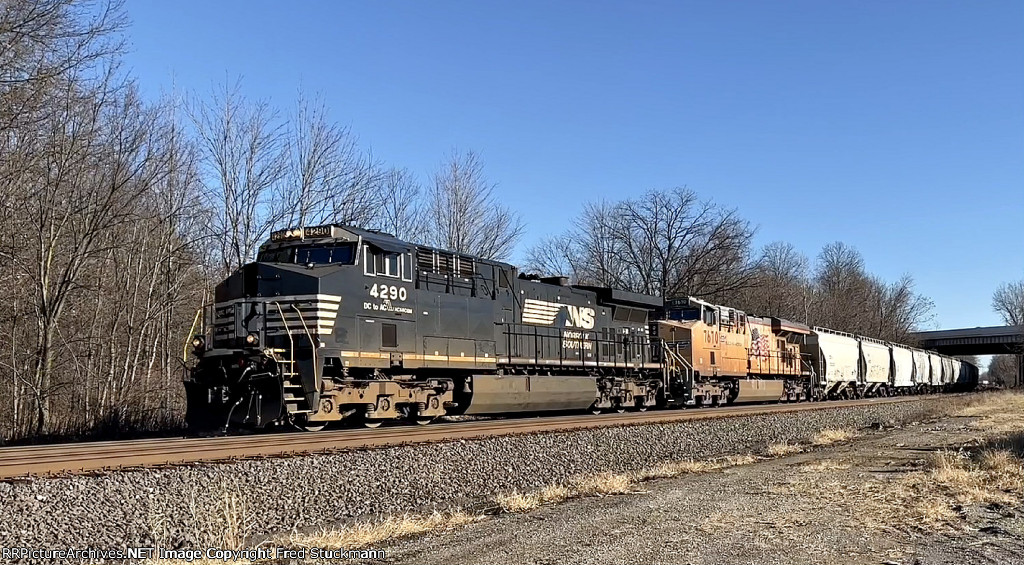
[[897, 127]]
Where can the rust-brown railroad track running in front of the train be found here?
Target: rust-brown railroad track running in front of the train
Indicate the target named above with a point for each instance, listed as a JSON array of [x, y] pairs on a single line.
[[111, 456]]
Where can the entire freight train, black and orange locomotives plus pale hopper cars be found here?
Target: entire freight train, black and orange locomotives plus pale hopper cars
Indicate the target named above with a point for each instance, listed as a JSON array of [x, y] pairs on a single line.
[[336, 324]]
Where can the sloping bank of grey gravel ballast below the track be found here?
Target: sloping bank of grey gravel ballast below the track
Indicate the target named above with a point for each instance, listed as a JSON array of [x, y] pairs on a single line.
[[186, 507]]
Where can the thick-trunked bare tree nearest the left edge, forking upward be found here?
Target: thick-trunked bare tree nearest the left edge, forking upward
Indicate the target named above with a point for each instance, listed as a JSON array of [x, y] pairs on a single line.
[[97, 166]]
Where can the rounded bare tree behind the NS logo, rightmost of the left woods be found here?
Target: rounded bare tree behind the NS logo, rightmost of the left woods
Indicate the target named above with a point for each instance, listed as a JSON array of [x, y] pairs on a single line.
[[463, 214]]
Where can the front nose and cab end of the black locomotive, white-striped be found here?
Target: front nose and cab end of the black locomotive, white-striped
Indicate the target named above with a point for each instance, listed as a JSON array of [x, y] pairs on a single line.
[[258, 358]]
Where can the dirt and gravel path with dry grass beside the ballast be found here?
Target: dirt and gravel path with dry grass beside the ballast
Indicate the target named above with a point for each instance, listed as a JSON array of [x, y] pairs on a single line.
[[863, 502]]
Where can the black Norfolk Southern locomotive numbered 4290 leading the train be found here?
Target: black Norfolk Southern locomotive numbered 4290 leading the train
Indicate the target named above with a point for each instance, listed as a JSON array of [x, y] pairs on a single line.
[[334, 323]]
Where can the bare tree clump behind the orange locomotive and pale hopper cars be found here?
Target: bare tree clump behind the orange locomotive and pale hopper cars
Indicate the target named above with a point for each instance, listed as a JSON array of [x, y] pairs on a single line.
[[673, 244]]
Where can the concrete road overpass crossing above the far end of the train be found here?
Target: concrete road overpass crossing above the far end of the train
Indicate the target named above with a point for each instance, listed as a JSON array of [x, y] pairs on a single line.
[[995, 340]]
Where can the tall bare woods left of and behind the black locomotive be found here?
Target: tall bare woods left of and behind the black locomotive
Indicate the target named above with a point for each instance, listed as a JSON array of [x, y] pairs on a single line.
[[120, 215]]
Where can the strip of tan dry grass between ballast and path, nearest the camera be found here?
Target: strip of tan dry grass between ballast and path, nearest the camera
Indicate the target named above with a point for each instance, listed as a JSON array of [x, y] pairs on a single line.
[[364, 535]]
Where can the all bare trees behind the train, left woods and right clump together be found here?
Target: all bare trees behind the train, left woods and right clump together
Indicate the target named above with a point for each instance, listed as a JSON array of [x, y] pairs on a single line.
[[120, 215]]
